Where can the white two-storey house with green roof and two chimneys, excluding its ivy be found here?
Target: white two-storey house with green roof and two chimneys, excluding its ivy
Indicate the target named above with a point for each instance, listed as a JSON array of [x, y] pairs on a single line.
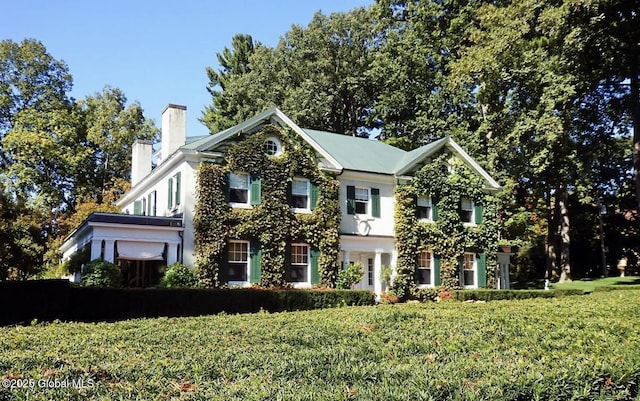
[[157, 221]]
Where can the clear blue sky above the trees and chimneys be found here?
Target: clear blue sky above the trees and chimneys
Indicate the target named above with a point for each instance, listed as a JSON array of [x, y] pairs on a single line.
[[155, 51]]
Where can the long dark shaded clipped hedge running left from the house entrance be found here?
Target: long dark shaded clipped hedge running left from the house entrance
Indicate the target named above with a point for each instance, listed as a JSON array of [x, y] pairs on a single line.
[[47, 300]]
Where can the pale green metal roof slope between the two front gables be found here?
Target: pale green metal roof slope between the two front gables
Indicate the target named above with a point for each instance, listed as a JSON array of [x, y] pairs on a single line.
[[359, 154]]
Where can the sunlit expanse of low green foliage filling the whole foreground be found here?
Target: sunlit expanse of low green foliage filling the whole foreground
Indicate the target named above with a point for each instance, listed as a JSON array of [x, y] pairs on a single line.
[[580, 347]]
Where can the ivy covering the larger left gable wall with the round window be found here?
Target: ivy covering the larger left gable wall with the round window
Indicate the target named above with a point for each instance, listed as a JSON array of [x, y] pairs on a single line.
[[272, 223]]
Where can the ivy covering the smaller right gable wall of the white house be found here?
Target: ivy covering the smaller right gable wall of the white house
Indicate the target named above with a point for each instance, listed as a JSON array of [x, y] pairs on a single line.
[[446, 181]]
